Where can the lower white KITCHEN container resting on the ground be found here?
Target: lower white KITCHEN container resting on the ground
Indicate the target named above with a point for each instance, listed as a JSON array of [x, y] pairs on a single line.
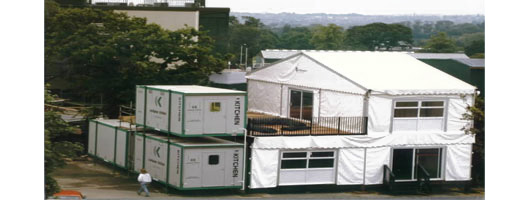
[[190, 163]]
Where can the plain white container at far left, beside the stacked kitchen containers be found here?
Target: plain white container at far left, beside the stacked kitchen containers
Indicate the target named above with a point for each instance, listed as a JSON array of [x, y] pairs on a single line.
[[109, 140]]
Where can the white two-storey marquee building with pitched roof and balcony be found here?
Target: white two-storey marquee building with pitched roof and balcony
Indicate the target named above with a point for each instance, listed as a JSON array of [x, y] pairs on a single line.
[[393, 113]]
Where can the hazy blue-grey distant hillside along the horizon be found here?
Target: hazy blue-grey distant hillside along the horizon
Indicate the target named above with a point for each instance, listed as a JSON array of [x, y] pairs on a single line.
[[347, 20]]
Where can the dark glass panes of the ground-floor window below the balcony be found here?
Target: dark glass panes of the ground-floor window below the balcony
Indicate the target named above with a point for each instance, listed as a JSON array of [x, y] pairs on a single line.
[[304, 160]]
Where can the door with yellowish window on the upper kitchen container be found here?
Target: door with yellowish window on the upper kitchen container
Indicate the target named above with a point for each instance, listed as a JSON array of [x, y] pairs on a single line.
[[214, 116]]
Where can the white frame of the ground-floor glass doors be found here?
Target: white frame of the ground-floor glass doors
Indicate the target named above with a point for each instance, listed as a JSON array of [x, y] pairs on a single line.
[[442, 165]]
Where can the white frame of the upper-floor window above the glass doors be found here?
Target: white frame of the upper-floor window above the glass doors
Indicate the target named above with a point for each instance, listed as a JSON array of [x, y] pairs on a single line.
[[419, 107]]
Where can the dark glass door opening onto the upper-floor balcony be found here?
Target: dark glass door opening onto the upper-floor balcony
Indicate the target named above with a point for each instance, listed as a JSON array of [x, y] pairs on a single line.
[[301, 104]]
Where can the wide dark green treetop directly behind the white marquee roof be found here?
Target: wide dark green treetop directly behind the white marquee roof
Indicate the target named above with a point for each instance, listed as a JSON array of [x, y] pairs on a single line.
[[378, 36]]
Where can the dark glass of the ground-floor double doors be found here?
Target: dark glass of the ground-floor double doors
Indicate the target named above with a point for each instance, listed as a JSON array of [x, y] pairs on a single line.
[[405, 162]]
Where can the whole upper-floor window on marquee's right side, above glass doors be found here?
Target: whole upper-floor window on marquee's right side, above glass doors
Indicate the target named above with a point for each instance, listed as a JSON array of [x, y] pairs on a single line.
[[418, 115]]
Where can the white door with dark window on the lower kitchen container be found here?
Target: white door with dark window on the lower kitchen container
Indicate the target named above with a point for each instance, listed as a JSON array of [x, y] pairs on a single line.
[[213, 169]]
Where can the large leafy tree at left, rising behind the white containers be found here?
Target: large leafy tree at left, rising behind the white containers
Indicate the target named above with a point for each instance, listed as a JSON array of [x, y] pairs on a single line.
[[105, 54]]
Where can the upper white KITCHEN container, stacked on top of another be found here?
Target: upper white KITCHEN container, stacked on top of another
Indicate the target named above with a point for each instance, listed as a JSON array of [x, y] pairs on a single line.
[[190, 110]]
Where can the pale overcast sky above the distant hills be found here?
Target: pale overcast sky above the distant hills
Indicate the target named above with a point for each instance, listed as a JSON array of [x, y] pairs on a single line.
[[371, 7]]
